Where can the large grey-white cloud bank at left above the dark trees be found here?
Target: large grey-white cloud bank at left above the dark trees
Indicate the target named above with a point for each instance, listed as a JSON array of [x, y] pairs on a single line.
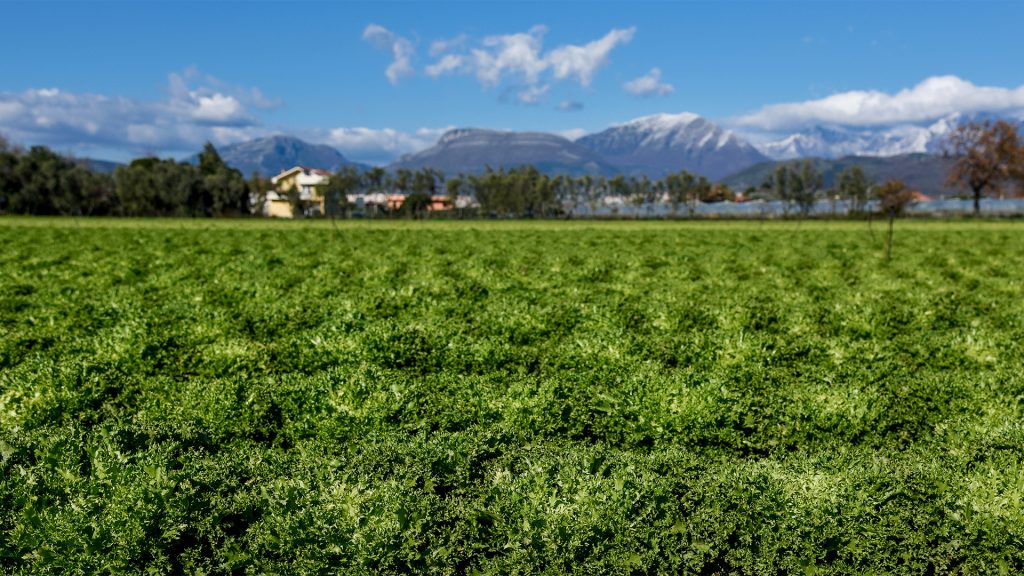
[[191, 114]]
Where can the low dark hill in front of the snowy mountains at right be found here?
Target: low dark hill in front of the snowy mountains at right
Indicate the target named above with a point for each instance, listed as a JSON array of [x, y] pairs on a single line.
[[923, 173]]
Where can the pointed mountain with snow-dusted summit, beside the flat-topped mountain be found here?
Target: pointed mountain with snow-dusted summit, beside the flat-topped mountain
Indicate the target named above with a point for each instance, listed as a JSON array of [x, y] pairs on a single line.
[[667, 143]]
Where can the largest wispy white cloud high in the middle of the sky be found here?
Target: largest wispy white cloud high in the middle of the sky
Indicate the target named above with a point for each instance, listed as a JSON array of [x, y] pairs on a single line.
[[520, 59]]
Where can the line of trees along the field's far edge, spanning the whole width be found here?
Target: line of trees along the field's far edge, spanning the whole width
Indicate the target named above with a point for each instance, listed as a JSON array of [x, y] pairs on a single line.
[[989, 158]]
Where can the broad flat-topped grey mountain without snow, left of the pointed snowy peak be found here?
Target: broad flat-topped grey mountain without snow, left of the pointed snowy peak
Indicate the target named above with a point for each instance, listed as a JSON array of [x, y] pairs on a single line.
[[472, 151]]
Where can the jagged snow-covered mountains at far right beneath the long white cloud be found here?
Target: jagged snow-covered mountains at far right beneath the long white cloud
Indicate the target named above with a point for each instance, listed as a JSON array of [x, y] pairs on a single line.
[[837, 142]]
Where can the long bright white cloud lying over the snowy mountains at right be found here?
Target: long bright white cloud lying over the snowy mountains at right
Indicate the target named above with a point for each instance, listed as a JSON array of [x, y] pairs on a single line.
[[932, 99]]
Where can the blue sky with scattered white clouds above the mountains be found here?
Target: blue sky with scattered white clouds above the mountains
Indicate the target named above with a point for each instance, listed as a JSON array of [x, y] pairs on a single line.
[[119, 79]]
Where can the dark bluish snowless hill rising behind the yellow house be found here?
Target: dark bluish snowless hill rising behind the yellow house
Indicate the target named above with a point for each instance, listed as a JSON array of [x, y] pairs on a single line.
[[272, 155]]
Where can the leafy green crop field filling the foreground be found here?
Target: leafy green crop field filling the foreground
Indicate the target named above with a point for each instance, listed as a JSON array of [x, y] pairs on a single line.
[[501, 398]]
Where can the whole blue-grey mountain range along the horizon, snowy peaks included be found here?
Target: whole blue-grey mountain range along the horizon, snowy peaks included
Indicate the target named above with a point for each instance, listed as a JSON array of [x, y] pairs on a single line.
[[652, 146]]
